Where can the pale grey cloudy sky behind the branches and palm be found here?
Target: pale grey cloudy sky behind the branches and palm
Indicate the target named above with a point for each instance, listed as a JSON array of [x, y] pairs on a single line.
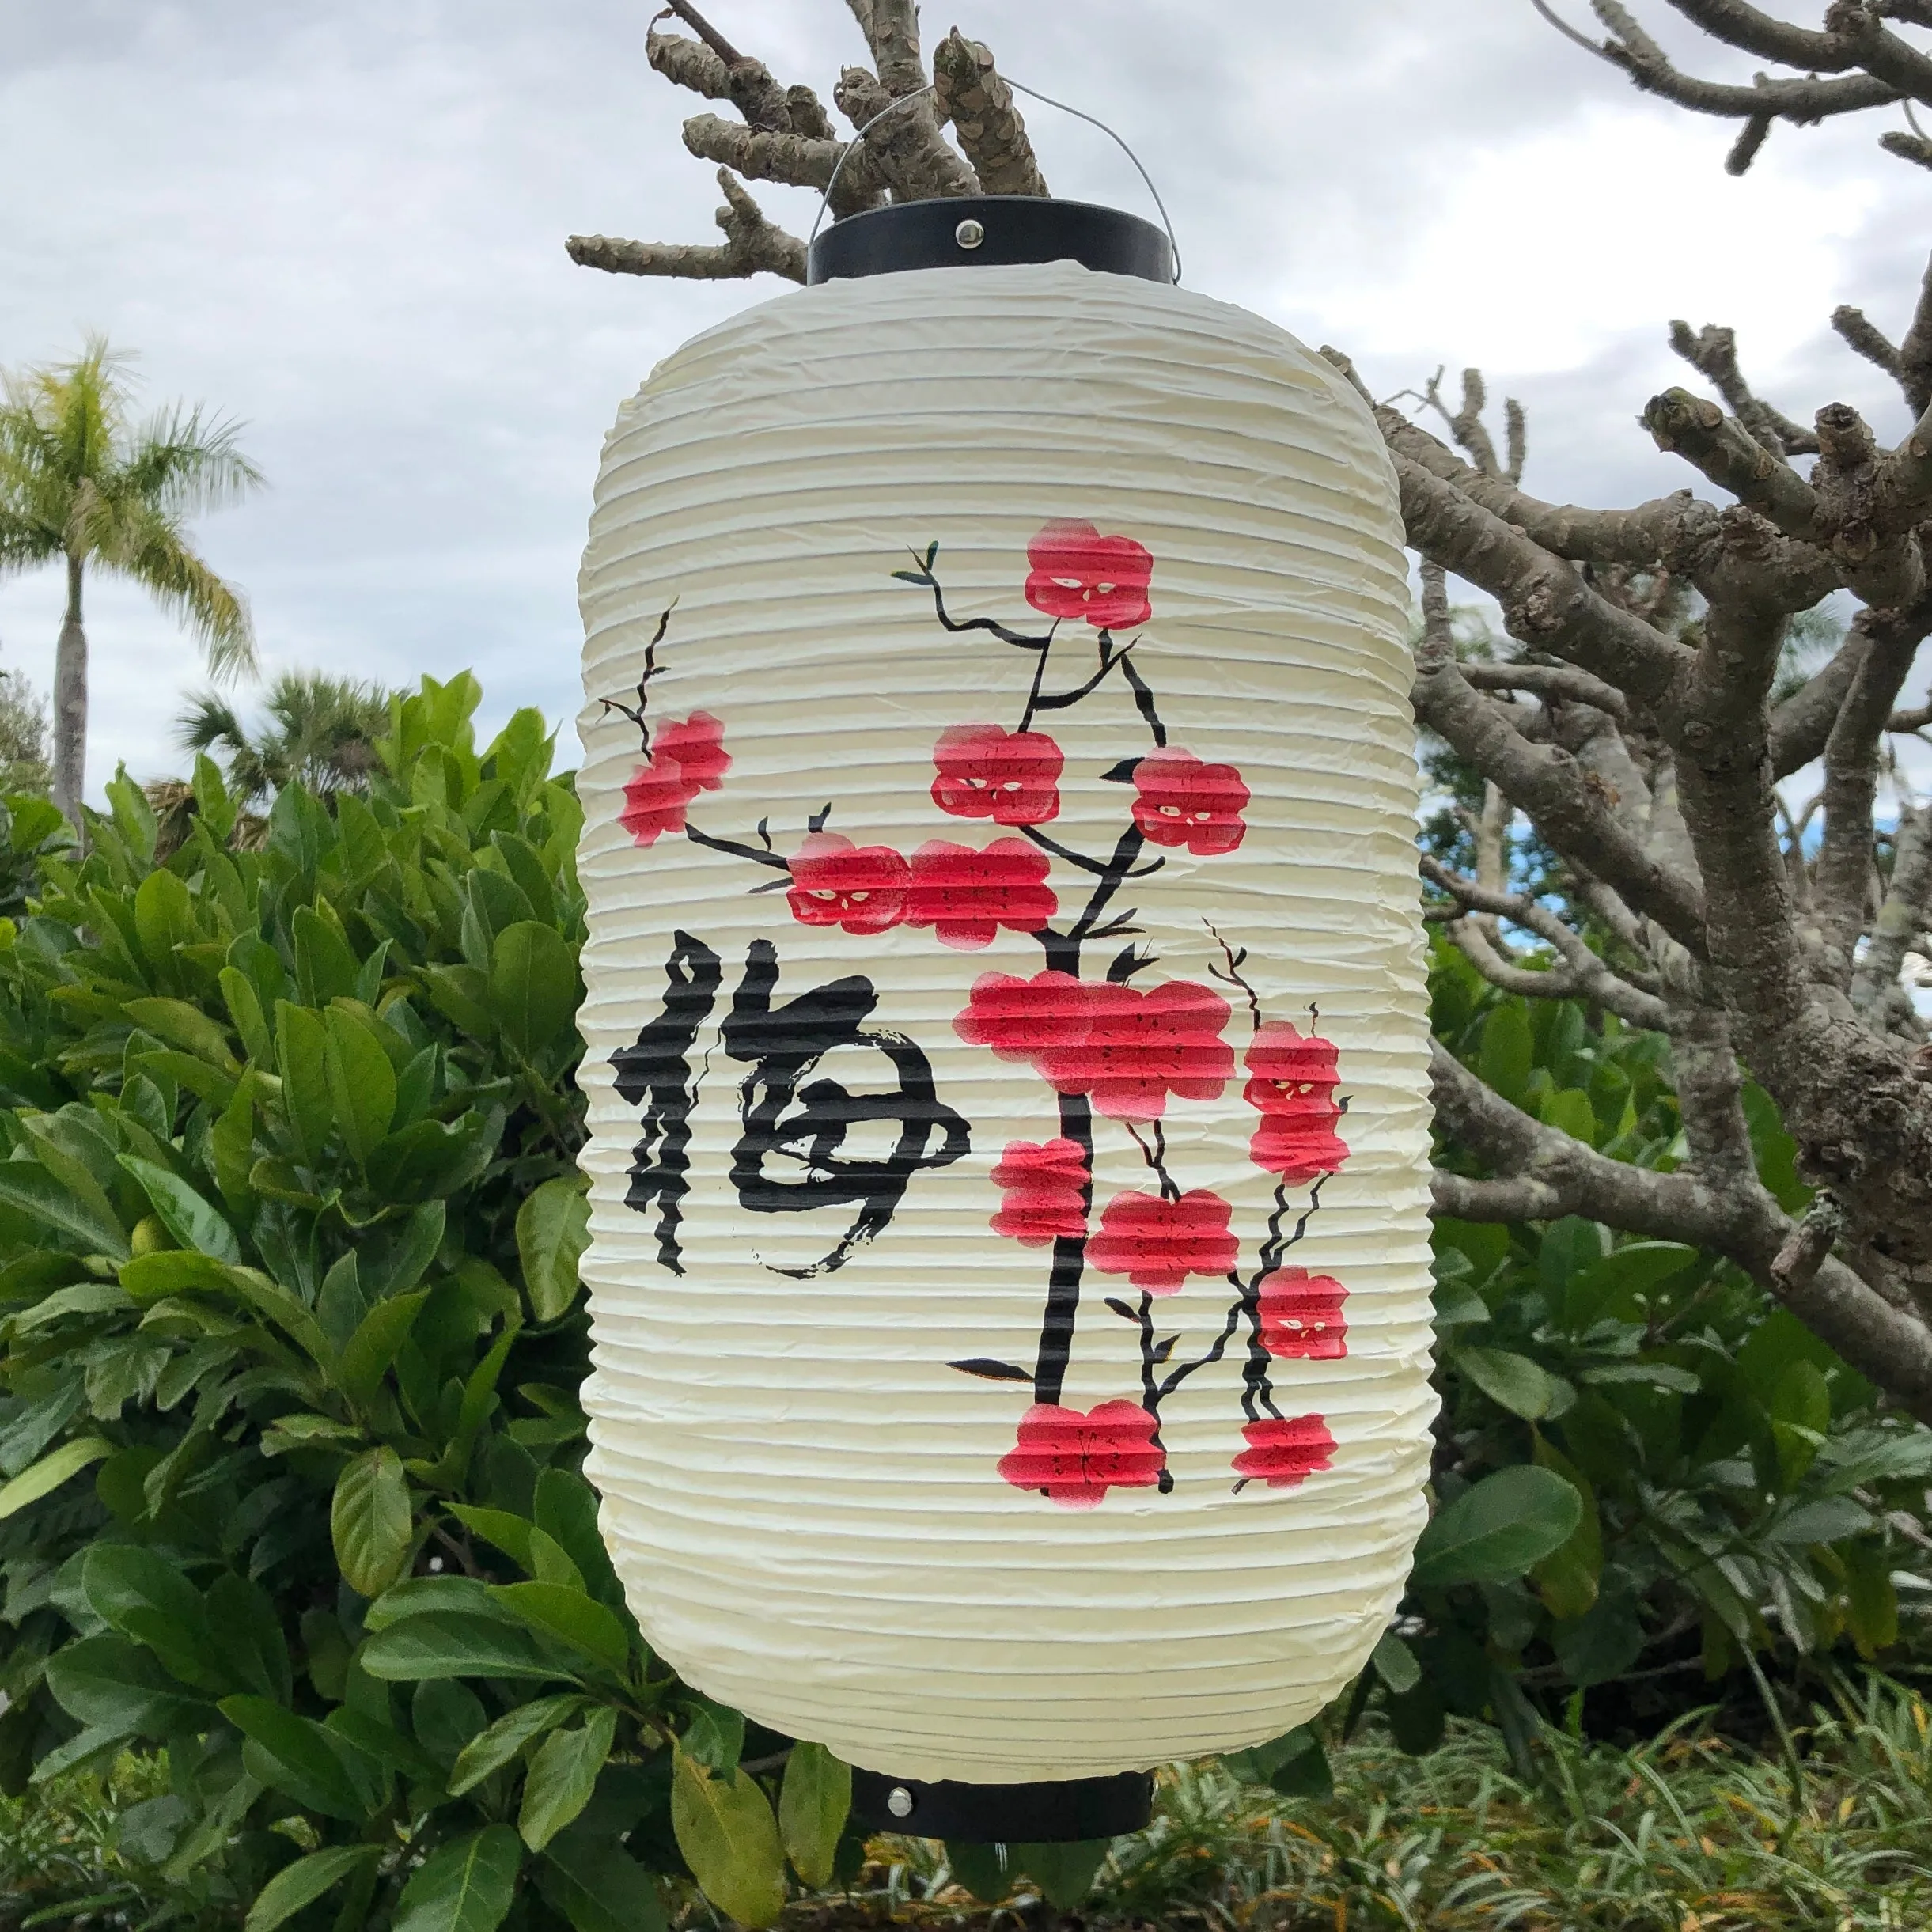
[[345, 225]]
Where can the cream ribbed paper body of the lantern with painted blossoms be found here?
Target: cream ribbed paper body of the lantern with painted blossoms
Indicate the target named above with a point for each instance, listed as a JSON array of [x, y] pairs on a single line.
[[1008, 1040]]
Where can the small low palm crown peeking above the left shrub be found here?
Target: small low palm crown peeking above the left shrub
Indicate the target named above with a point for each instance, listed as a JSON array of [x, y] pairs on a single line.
[[320, 733]]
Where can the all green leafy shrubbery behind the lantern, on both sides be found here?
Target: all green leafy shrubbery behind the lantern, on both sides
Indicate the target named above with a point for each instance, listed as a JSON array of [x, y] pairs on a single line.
[[293, 1336]]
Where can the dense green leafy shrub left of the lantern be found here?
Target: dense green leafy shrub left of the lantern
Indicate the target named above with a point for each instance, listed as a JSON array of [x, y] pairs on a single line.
[[289, 1237]]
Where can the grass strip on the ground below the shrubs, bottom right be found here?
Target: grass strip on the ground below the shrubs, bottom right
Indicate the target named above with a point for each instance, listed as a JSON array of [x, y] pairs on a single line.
[[1686, 1834]]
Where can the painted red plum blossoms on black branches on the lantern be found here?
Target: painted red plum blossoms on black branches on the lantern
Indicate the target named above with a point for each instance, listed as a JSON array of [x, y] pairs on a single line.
[[1110, 1050]]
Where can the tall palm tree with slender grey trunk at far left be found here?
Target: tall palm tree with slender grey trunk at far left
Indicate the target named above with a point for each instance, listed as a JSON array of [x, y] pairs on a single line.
[[84, 484]]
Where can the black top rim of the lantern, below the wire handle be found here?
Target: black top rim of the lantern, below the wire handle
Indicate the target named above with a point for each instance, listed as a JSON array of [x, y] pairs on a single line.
[[990, 231]]
